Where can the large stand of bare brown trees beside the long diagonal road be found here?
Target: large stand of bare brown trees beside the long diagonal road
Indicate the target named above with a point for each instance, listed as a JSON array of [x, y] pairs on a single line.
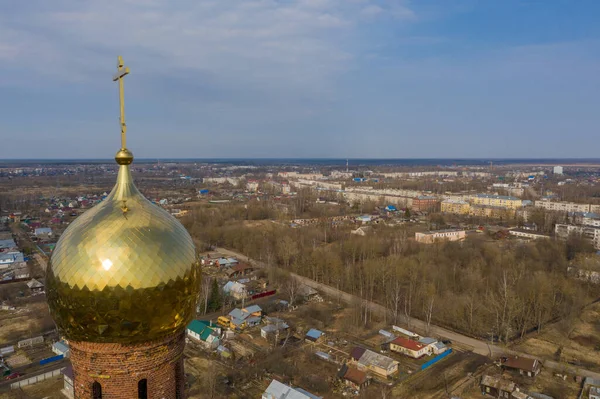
[[482, 287]]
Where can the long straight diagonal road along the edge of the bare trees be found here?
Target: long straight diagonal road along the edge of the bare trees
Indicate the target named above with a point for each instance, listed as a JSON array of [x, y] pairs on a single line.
[[478, 346]]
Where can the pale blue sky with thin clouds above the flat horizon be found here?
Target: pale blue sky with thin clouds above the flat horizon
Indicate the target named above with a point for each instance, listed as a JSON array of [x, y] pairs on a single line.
[[301, 78]]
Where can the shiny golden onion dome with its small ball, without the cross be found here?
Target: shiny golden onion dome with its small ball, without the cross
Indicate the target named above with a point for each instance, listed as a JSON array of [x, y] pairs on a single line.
[[124, 271]]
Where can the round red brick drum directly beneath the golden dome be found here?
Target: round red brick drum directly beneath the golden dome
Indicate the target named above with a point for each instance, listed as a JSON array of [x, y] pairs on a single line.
[[119, 367]]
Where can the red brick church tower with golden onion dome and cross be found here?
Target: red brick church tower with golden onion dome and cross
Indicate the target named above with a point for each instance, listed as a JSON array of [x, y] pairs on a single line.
[[121, 286]]
